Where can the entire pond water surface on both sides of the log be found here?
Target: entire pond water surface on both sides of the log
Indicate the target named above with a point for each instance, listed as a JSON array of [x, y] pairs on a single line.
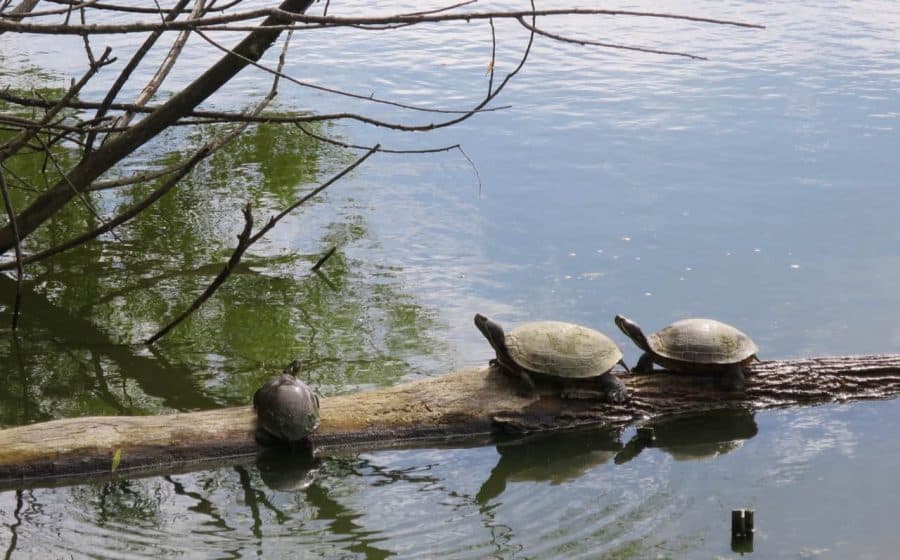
[[758, 187]]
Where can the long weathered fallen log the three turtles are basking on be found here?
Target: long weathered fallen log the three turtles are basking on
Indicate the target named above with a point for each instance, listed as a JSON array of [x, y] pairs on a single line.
[[471, 403]]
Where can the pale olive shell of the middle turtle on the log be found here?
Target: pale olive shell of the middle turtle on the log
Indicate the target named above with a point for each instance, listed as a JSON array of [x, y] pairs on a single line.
[[562, 349]]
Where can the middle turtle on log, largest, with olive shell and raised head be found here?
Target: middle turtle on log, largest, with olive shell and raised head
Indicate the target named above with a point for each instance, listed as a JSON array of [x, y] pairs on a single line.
[[553, 352]]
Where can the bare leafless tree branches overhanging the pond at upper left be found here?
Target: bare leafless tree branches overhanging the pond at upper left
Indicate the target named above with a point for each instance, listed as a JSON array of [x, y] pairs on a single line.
[[70, 123]]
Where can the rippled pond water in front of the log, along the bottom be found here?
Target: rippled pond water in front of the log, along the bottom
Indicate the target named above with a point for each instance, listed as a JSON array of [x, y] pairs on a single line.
[[559, 495]]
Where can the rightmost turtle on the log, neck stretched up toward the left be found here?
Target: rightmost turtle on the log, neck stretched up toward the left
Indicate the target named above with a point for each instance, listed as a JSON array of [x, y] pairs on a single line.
[[698, 346]]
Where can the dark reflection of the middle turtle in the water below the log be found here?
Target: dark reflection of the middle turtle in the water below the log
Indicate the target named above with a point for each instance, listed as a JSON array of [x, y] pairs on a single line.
[[555, 457]]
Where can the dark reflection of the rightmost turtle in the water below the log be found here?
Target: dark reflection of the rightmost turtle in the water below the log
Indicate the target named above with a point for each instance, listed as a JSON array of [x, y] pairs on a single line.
[[695, 435]]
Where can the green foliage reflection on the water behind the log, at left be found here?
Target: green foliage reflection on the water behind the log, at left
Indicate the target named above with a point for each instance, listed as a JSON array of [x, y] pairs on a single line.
[[86, 312]]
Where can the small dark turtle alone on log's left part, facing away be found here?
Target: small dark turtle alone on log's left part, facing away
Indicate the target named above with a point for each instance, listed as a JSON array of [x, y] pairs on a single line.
[[287, 408]]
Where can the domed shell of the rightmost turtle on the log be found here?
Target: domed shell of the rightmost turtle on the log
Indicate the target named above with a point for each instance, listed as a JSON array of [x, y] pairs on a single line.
[[702, 341]]
